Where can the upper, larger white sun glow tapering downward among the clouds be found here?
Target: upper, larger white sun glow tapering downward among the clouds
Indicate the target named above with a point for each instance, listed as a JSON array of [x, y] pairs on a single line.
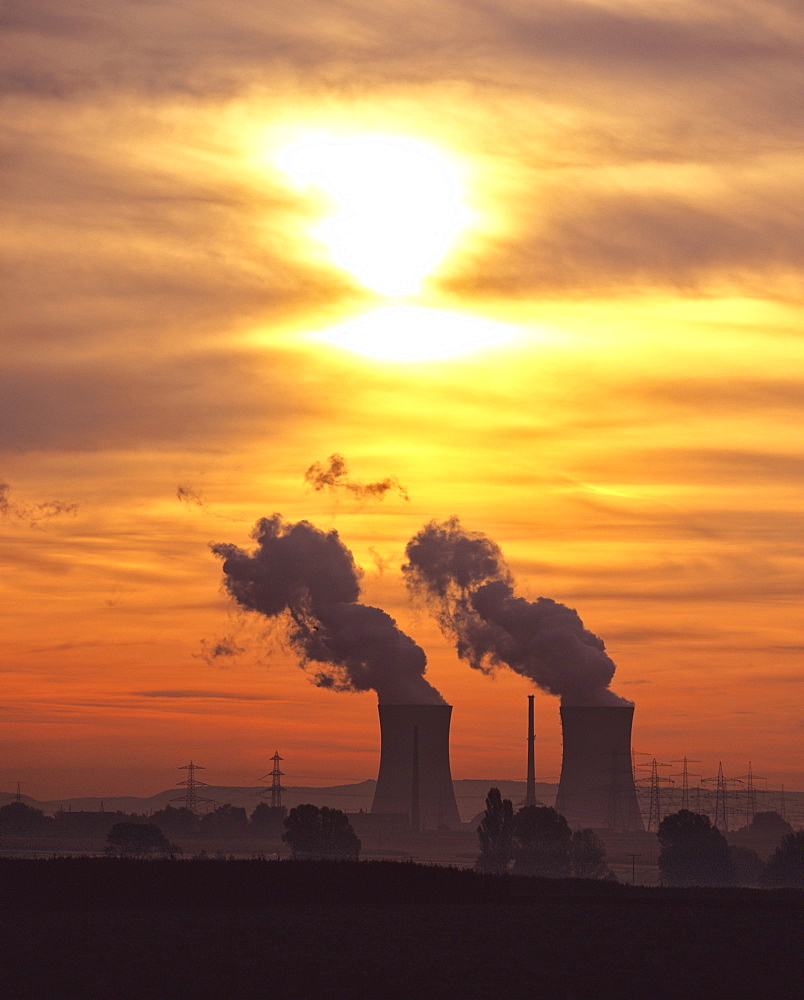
[[396, 205]]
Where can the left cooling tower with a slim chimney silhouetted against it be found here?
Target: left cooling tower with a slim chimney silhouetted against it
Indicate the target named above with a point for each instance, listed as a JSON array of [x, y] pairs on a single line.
[[403, 784]]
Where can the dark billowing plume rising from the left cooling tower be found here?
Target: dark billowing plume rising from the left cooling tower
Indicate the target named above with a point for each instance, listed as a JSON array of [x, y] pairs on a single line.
[[309, 578]]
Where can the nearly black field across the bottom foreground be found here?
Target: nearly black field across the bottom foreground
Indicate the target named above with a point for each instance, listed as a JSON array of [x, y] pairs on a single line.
[[158, 930]]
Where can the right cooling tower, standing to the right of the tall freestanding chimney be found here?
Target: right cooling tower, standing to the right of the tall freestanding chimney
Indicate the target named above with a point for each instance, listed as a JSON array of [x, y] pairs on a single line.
[[597, 783]]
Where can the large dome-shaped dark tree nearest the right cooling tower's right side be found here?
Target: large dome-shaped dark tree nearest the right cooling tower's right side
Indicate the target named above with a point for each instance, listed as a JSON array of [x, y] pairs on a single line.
[[693, 852]]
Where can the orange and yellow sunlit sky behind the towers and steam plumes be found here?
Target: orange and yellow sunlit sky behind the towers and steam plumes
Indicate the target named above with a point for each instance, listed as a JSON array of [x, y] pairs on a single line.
[[535, 264]]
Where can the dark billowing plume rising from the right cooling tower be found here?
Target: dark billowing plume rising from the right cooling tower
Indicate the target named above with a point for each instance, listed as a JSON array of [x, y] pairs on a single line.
[[464, 578]]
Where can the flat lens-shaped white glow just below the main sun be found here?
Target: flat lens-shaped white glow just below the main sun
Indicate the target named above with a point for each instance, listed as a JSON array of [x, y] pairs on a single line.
[[412, 333]]
